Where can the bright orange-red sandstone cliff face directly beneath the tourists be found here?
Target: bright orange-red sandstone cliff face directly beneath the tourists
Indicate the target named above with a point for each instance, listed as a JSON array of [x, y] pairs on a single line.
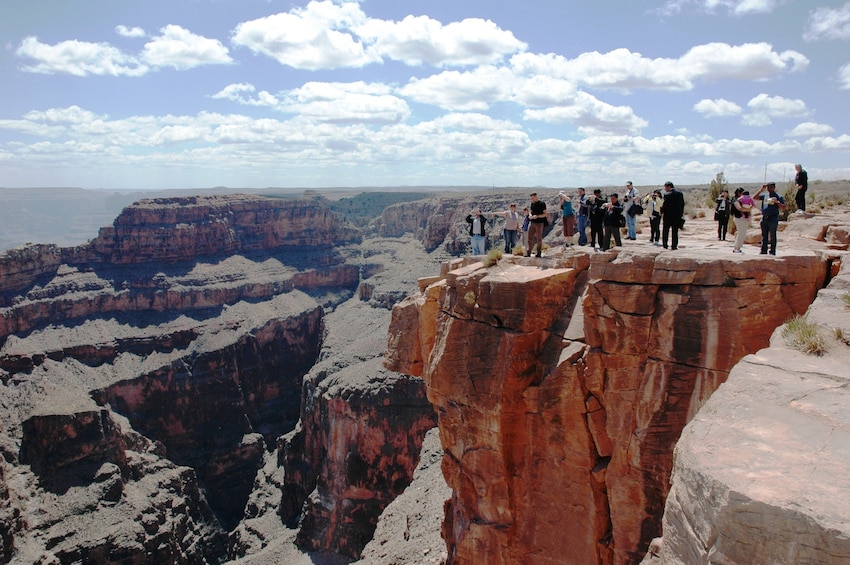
[[562, 389]]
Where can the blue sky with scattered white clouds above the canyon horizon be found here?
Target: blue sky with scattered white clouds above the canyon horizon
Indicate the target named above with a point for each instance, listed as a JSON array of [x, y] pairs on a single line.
[[164, 94]]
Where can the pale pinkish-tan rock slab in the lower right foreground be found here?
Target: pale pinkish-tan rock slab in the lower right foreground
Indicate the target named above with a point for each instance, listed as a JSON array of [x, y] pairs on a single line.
[[761, 473]]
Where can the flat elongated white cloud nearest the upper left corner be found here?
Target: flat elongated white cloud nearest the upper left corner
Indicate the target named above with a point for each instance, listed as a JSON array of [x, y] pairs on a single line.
[[78, 58]]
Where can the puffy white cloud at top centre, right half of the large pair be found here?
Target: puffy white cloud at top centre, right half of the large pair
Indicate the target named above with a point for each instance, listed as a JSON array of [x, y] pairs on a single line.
[[419, 39]]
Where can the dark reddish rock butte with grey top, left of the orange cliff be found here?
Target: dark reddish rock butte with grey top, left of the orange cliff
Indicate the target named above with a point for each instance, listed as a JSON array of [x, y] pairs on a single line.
[[355, 450]]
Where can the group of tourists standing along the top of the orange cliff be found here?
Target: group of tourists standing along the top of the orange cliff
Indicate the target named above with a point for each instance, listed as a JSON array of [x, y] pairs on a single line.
[[606, 216]]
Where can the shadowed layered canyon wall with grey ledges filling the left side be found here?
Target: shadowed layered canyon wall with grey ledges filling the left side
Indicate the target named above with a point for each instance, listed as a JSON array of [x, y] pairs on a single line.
[[171, 363]]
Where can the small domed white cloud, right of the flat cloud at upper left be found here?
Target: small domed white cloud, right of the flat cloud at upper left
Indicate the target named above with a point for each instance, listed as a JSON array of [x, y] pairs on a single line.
[[179, 48]]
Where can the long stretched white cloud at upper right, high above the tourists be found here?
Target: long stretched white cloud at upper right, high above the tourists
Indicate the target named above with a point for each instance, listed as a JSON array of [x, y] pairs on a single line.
[[623, 69]]
